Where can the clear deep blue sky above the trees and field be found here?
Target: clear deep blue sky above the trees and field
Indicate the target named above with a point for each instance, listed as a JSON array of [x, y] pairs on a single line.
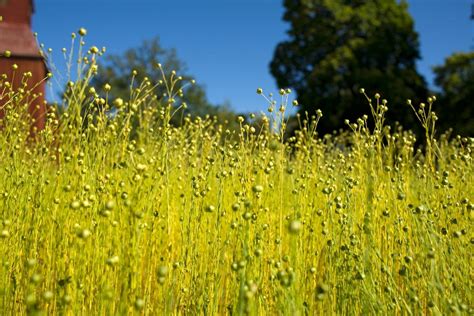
[[227, 44]]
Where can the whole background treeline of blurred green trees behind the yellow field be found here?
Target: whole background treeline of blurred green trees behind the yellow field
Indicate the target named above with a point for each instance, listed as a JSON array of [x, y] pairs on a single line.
[[334, 49]]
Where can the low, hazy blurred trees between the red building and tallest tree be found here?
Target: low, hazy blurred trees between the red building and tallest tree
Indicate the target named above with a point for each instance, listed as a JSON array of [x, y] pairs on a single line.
[[117, 70]]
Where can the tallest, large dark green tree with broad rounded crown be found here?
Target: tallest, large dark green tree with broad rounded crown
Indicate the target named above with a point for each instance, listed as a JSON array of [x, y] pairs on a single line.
[[336, 47]]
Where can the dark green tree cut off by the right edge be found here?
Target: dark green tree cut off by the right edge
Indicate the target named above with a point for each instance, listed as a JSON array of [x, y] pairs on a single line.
[[455, 105]]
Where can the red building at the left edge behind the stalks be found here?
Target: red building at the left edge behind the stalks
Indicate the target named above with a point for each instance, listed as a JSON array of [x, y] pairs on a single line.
[[17, 38]]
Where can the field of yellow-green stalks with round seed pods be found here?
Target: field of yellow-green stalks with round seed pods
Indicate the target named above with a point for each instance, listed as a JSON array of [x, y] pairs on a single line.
[[113, 210]]
